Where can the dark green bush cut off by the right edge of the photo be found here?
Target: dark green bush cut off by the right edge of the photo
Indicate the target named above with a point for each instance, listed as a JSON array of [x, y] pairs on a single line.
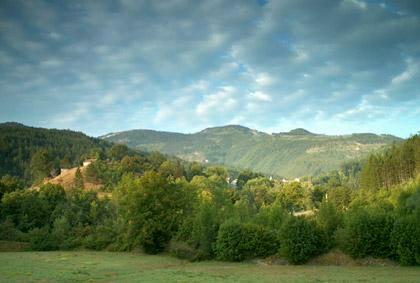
[[405, 239]]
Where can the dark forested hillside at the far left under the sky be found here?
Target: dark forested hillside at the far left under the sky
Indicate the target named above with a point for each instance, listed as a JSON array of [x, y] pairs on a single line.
[[33, 153]]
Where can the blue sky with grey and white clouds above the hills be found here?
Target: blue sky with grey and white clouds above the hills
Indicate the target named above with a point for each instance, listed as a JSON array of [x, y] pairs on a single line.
[[332, 67]]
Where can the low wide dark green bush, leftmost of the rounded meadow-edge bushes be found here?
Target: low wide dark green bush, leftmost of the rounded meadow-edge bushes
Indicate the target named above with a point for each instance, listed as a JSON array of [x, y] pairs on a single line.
[[236, 241]]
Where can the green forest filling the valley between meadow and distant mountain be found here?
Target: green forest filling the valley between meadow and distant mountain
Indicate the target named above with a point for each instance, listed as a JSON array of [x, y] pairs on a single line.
[[157, 203]]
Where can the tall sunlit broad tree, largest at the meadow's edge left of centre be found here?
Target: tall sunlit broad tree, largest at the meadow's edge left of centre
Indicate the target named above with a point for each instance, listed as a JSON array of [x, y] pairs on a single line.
[[152, 208]]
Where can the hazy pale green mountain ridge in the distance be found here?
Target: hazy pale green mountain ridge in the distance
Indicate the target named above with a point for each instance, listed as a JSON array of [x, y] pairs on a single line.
[[290, 154]]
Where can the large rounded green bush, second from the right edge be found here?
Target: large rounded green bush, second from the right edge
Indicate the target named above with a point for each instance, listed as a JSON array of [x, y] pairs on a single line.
[[366, 233]]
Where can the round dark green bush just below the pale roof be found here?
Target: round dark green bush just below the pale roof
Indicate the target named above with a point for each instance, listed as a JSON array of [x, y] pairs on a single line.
[[300, 240]]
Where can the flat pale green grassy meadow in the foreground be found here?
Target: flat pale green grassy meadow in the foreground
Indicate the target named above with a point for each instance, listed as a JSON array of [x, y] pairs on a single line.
[[134, 267]]
